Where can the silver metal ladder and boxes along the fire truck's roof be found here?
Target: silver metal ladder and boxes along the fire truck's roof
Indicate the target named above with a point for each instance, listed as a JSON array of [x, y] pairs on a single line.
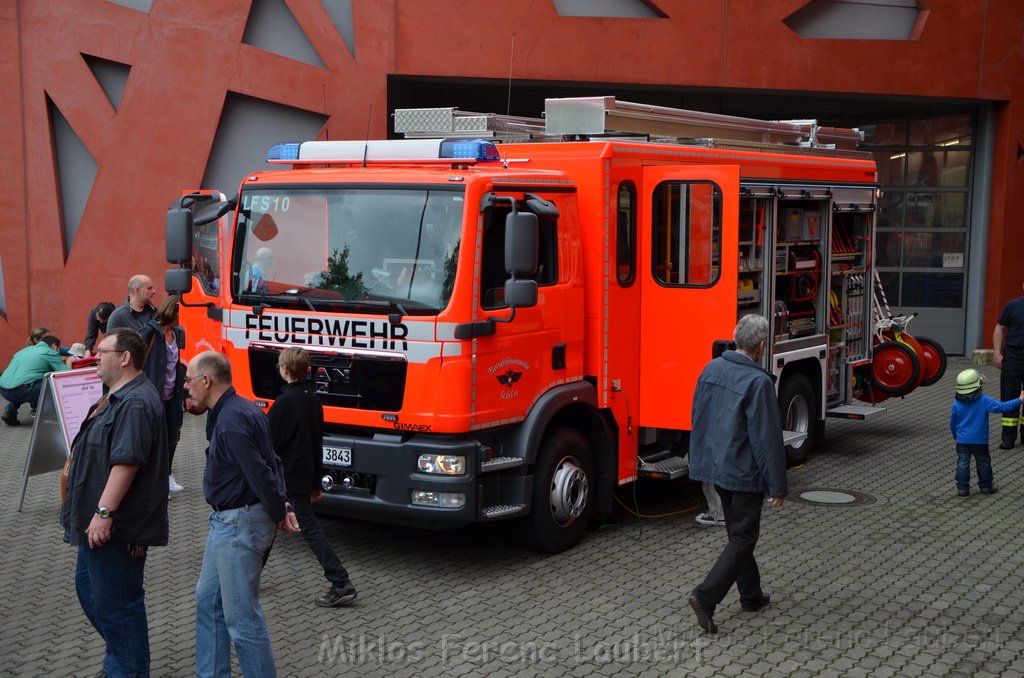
[[605, 116]]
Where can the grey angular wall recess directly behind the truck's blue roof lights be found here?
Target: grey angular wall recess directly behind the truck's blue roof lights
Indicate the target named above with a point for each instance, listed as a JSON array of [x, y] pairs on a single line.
[[247, 130]]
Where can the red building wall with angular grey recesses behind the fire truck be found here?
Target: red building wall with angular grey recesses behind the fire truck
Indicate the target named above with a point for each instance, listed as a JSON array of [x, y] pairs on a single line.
[[186, 57]]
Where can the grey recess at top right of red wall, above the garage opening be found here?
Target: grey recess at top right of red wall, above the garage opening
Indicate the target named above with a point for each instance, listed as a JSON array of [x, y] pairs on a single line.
[[856, 20]]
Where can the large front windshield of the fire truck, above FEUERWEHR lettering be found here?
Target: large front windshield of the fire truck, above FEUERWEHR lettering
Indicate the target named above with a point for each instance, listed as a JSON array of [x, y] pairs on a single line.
[[365, 249]]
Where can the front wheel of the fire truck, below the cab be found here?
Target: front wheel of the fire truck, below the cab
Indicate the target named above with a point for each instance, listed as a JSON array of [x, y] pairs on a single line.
[[564, 499]]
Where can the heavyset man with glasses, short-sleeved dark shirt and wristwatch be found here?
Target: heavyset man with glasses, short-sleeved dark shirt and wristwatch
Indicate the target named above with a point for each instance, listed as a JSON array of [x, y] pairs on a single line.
[[116, 505]]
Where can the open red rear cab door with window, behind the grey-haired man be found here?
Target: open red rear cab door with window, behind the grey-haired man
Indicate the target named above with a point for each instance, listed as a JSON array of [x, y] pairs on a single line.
[[689, 269]]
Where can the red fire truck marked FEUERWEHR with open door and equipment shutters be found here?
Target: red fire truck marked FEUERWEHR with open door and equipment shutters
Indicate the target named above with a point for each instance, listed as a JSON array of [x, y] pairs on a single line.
[[507, 318]]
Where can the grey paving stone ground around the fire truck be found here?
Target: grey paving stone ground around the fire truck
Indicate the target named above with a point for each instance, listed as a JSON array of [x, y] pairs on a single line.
[[917, 582]]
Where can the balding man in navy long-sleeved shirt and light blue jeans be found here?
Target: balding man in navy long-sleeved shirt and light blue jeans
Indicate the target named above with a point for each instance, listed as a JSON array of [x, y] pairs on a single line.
[[244, 484]]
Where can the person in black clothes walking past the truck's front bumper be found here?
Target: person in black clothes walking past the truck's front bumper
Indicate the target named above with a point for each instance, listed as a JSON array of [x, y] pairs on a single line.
[[296, 426]]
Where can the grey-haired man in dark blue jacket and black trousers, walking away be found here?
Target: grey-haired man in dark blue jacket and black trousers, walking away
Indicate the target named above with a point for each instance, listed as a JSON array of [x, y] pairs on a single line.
[[737, 443]]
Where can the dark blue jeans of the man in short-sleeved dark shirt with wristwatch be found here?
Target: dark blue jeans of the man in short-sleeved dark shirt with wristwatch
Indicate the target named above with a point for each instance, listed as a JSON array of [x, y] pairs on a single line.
[[109, 583]]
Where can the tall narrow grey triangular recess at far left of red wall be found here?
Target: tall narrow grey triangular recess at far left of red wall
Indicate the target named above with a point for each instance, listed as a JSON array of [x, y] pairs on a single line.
[[76, 174]]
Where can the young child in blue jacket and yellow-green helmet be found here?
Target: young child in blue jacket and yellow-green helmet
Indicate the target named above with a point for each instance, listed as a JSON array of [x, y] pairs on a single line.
[[969, 425]]
